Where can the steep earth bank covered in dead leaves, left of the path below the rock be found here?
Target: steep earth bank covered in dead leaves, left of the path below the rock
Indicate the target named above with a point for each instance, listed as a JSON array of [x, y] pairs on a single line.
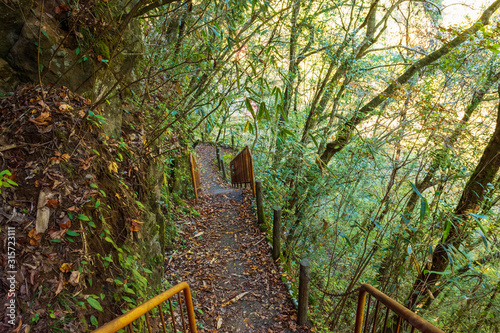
[[81, 210]]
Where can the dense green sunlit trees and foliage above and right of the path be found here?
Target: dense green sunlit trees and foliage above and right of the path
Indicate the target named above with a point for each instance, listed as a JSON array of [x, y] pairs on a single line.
[[375, 125]]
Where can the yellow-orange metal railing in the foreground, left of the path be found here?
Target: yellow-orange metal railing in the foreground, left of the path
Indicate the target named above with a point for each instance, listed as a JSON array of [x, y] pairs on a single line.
[[128, 318]]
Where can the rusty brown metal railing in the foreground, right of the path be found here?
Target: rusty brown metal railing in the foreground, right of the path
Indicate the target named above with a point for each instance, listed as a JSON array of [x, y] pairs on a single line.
[[406, 321]]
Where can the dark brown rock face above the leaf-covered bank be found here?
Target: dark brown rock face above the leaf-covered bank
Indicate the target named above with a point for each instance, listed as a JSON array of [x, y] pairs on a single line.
[[79, 48]]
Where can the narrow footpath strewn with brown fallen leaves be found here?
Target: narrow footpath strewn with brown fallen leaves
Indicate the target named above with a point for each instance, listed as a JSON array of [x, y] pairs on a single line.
[[227, 261]]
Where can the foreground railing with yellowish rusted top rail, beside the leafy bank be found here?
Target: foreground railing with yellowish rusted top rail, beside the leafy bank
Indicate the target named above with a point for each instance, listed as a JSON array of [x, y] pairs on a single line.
[[128, 318]]
